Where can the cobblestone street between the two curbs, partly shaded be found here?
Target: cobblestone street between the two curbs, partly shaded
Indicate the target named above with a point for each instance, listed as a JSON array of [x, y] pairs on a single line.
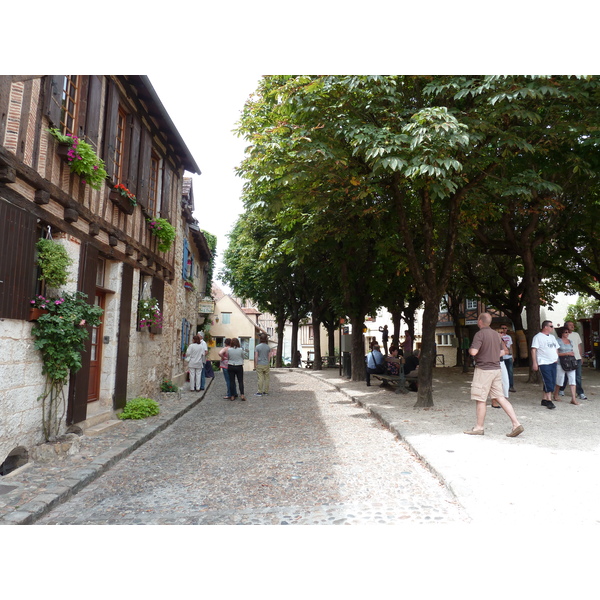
[[304, 454]]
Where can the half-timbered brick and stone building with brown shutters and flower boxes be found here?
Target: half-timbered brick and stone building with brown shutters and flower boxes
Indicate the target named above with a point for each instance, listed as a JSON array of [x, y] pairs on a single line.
[[116, 256]]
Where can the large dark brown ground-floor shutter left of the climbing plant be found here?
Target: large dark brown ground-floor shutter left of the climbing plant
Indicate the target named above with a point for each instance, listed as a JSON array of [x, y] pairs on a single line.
[[18, 237]]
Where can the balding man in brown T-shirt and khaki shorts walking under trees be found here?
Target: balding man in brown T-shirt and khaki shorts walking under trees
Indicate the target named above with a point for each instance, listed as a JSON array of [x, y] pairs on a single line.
[[486, 349]]
